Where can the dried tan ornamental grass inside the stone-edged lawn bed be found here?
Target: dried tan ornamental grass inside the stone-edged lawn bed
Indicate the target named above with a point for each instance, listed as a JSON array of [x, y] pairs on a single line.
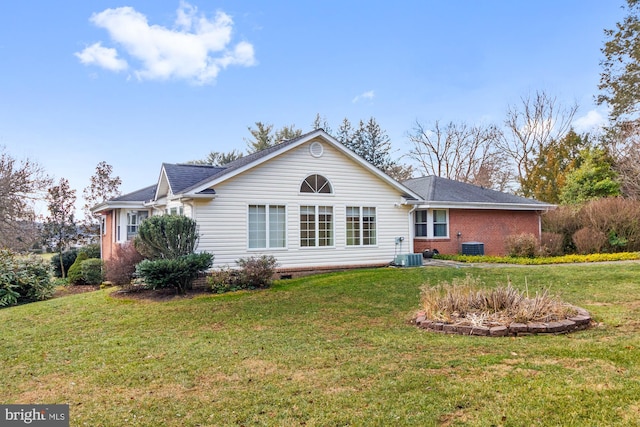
[[465, 302]]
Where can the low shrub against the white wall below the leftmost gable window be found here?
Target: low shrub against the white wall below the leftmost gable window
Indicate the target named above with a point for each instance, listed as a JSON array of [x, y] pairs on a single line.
[[254, 273]]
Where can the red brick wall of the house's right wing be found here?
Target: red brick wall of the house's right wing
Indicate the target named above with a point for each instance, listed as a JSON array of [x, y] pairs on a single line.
[[486, 226]]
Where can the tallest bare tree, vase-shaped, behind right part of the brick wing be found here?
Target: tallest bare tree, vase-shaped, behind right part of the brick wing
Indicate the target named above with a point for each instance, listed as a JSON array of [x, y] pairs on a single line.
[[532, 126]]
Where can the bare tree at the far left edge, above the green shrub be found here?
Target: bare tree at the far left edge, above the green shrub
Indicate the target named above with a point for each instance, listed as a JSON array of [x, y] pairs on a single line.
[[22, 183]]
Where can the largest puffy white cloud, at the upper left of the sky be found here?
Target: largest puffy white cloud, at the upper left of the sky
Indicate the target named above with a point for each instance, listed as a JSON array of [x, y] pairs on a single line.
[[196, 49]]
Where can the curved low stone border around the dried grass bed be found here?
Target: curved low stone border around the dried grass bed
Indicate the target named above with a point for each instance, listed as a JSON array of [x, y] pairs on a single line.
[[580, 321]]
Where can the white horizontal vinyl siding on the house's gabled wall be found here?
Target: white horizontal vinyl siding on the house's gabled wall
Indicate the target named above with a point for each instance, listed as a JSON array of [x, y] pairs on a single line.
[[224, 221]]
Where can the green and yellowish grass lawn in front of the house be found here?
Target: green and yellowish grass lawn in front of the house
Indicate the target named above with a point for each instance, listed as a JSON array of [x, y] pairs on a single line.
[[329, 350]]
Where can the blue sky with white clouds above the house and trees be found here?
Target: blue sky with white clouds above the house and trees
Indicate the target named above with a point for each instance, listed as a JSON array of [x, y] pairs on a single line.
[[137, 83]]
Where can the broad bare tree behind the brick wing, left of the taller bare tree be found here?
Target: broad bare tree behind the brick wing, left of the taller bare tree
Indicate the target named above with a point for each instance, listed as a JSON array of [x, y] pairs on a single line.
[[461, 152]]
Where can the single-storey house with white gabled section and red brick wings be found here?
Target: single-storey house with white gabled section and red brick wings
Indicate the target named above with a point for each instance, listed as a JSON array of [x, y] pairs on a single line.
[[314, 204]]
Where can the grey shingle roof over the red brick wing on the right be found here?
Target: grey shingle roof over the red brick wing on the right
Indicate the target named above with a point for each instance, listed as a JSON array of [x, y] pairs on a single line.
[[438, 189]]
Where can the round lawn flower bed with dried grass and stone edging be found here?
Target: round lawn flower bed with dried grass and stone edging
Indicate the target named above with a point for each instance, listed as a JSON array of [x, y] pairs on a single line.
[[464, 308]]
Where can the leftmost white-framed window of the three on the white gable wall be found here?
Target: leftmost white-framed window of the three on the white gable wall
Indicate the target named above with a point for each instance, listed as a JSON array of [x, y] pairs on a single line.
[[267, 227]]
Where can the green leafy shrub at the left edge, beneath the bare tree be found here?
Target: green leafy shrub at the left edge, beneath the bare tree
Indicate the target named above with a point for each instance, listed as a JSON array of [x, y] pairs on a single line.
[[23, 279]]
